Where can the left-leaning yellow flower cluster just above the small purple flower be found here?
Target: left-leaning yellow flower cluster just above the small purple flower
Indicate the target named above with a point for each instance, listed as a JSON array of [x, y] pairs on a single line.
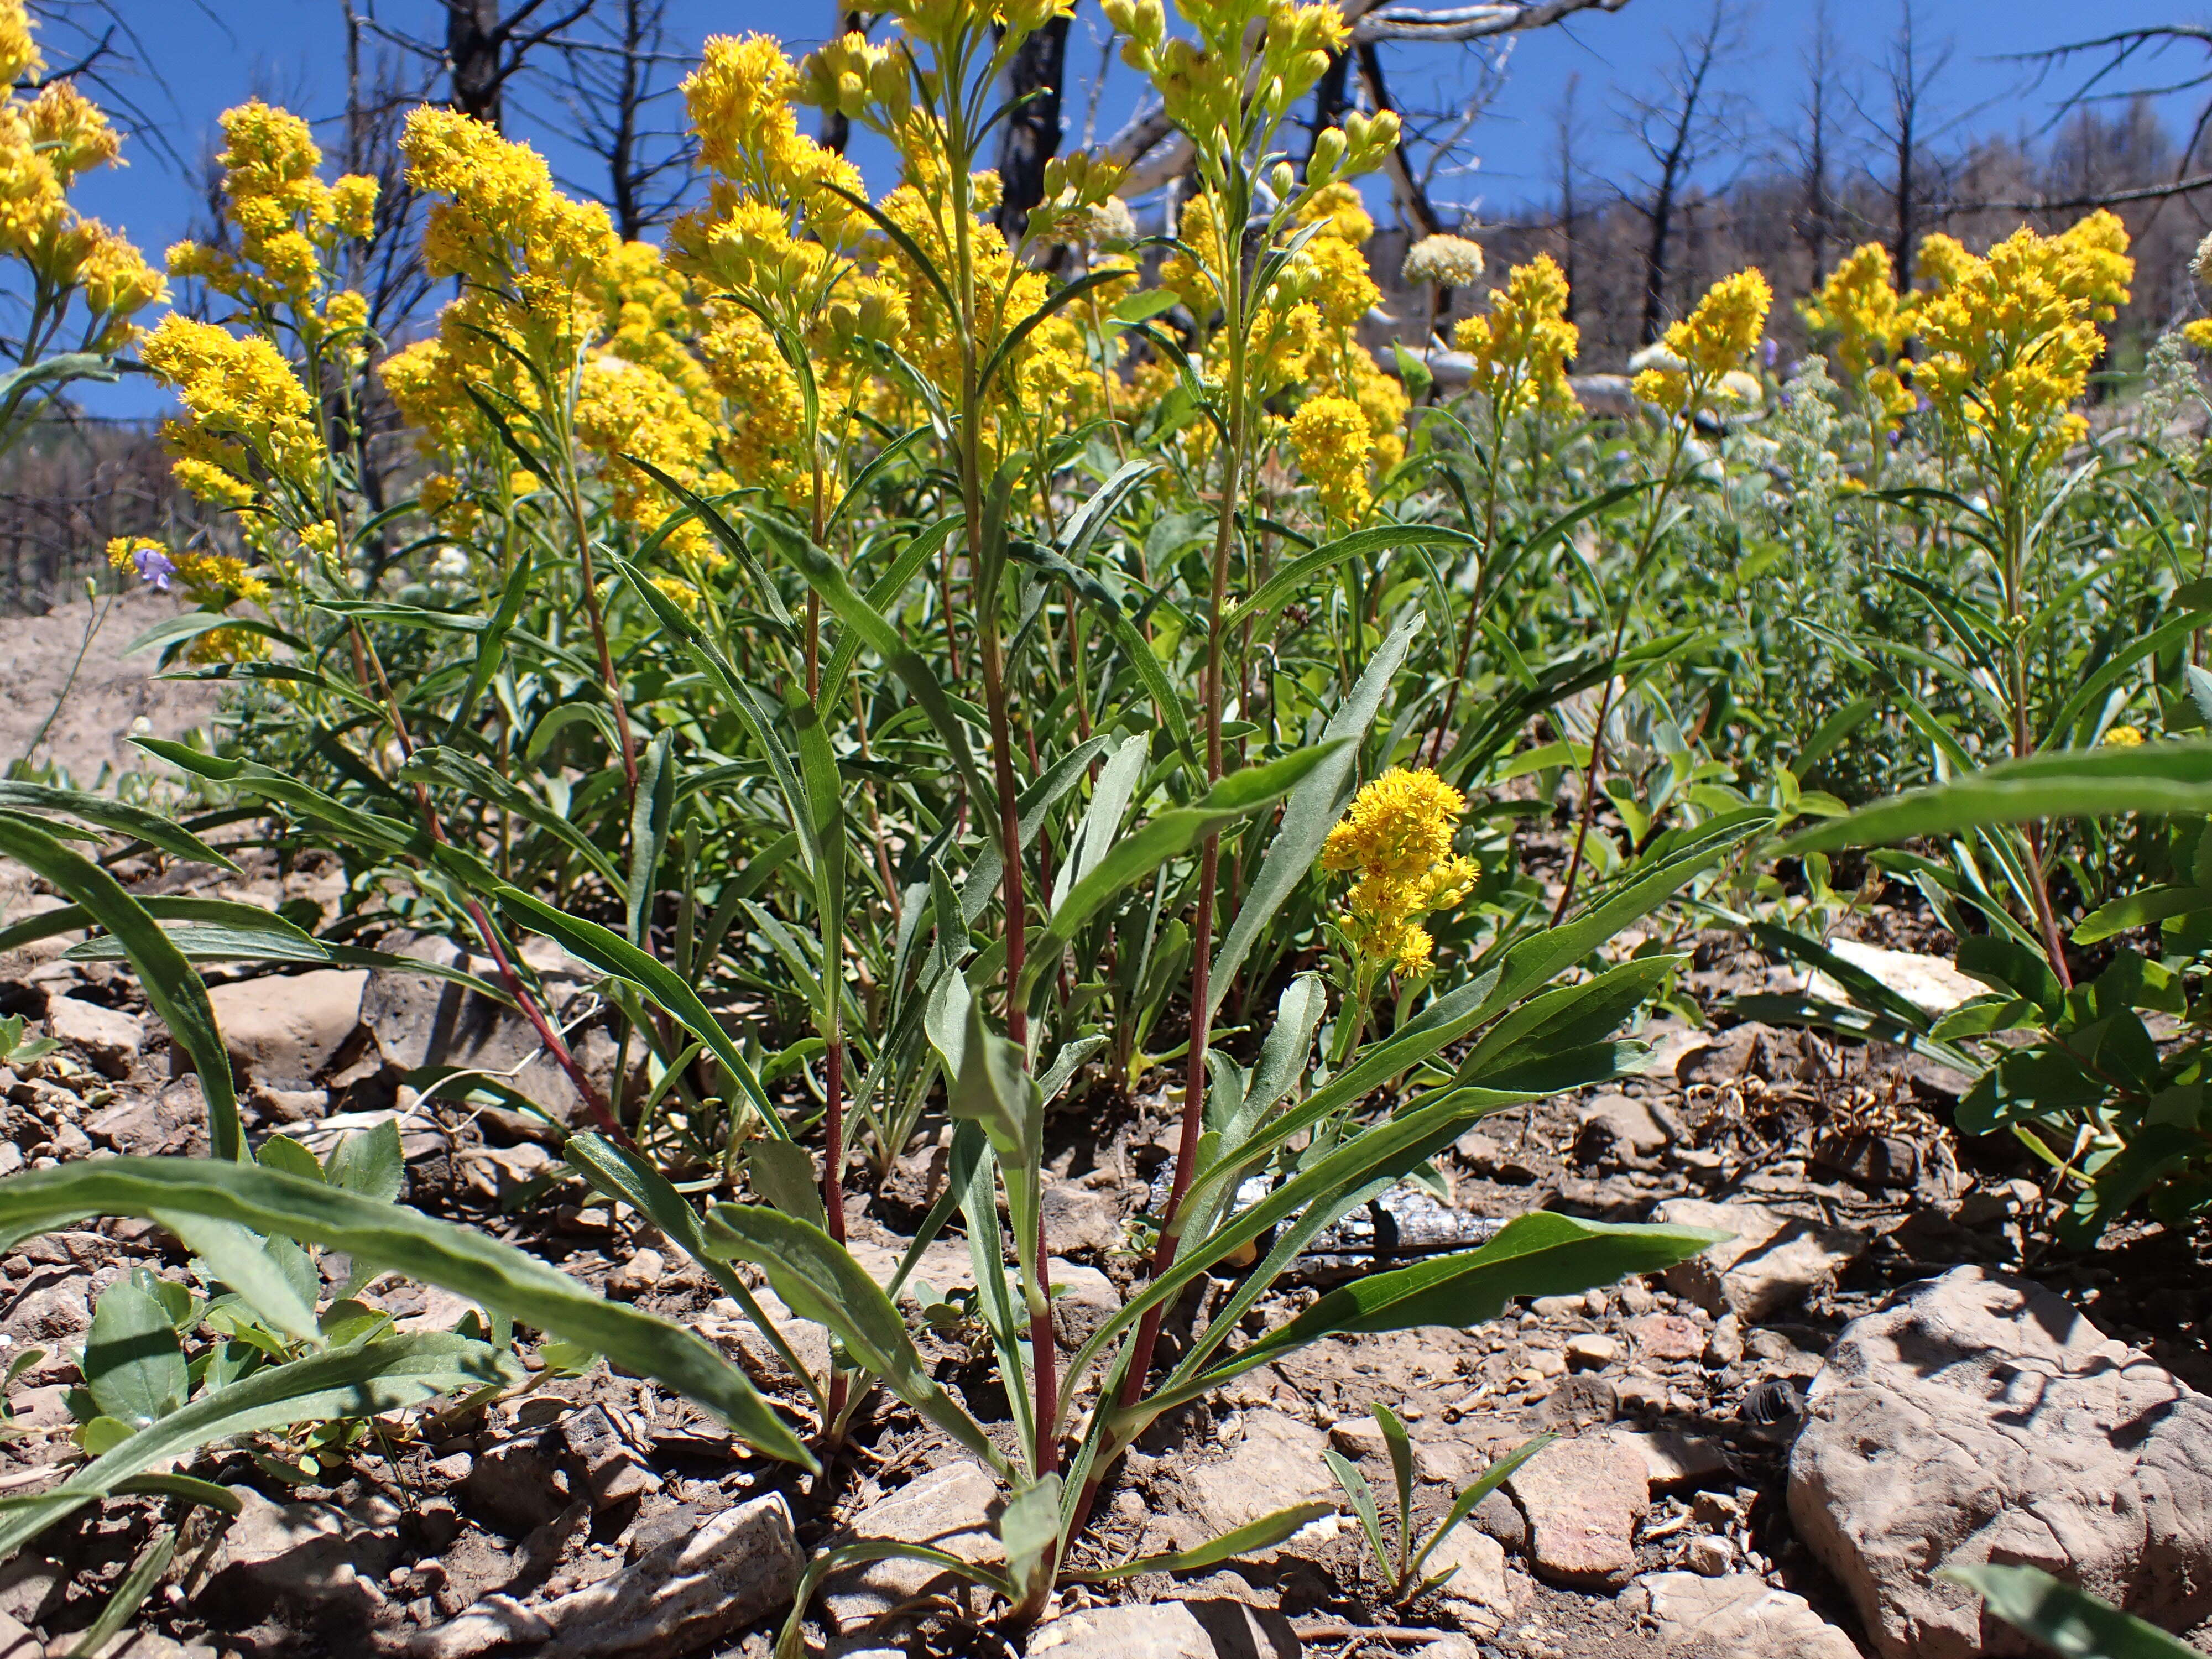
[[253, 424]]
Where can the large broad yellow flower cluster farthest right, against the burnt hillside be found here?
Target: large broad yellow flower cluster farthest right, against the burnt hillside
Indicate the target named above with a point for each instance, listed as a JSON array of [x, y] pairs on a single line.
[[2010, 337]]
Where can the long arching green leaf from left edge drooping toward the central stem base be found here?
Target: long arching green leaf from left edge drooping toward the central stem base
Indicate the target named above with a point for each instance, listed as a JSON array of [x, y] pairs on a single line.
[[437, 1253]]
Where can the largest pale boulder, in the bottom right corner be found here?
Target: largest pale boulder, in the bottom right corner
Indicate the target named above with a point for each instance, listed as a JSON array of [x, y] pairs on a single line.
[[1983, 1419]]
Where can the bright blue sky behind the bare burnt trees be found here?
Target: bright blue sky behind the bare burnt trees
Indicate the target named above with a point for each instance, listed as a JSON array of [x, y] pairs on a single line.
[[218, 52]]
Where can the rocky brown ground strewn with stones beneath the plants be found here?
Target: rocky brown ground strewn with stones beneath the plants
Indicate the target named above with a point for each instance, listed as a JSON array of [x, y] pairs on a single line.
[[1762, 1452]]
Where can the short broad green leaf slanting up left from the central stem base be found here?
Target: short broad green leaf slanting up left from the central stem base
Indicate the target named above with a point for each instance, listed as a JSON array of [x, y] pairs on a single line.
[[820, 1280]]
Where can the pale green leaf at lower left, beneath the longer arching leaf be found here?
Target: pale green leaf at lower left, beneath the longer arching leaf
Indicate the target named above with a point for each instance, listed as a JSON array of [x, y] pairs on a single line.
[[344, 1384]]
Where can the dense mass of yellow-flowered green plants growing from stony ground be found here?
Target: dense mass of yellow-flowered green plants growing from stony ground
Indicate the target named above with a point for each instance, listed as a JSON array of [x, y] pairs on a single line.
[[926, 662]]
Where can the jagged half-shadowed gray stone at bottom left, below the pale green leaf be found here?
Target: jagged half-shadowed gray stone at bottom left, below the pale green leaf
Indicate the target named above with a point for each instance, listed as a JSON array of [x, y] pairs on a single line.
[[302, 1556]]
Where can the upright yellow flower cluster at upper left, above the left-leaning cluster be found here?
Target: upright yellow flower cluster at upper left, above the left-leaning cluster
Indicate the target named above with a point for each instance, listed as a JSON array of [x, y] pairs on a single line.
[[291, 222]]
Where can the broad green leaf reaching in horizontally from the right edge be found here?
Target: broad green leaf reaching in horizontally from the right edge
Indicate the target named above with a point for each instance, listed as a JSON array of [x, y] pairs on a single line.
[[2067, 784]]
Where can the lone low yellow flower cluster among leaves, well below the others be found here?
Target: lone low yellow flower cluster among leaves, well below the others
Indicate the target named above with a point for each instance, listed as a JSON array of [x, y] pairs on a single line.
[[1397, 842]]
